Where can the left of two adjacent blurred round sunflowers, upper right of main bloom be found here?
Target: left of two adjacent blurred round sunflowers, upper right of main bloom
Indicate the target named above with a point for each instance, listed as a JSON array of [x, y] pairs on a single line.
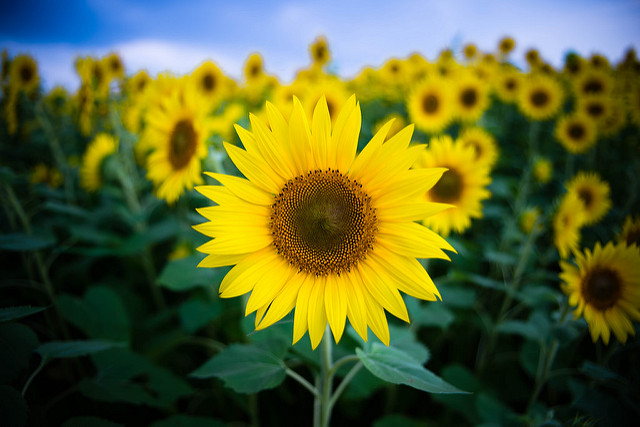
[[430, 105]]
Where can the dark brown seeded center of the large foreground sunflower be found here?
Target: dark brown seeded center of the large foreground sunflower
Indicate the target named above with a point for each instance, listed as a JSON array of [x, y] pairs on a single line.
[[323, 222]]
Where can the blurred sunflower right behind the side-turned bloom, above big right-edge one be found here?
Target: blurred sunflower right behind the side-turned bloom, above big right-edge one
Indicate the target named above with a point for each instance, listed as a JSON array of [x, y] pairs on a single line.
[[594, 194]]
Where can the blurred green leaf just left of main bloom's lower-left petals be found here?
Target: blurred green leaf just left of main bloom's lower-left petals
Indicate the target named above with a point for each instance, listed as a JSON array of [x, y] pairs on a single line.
[[183, 274]]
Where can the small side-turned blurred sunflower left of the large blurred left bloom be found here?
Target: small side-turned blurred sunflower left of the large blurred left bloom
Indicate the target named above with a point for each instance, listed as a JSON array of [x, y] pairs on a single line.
[[92, 168]]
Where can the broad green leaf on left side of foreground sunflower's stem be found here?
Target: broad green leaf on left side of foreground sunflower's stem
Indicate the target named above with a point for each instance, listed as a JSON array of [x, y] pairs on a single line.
[[244, 368]]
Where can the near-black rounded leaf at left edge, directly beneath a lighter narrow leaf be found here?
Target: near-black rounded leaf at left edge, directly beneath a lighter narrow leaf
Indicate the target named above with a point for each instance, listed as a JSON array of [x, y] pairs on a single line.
[[16, 345]]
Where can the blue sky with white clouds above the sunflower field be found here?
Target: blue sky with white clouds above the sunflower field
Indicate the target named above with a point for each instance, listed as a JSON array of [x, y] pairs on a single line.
[[163, 35]]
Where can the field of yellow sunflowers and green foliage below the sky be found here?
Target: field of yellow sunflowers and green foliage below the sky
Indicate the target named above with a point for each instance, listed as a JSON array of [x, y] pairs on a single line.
[[445, 241]]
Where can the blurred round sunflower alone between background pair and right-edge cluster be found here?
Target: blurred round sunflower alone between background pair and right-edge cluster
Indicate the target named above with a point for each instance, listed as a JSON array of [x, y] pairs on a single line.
[[541, 97]]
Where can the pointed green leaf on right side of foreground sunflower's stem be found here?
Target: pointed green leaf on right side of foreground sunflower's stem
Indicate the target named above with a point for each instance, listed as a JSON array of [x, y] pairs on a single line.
[[396, 366]]
